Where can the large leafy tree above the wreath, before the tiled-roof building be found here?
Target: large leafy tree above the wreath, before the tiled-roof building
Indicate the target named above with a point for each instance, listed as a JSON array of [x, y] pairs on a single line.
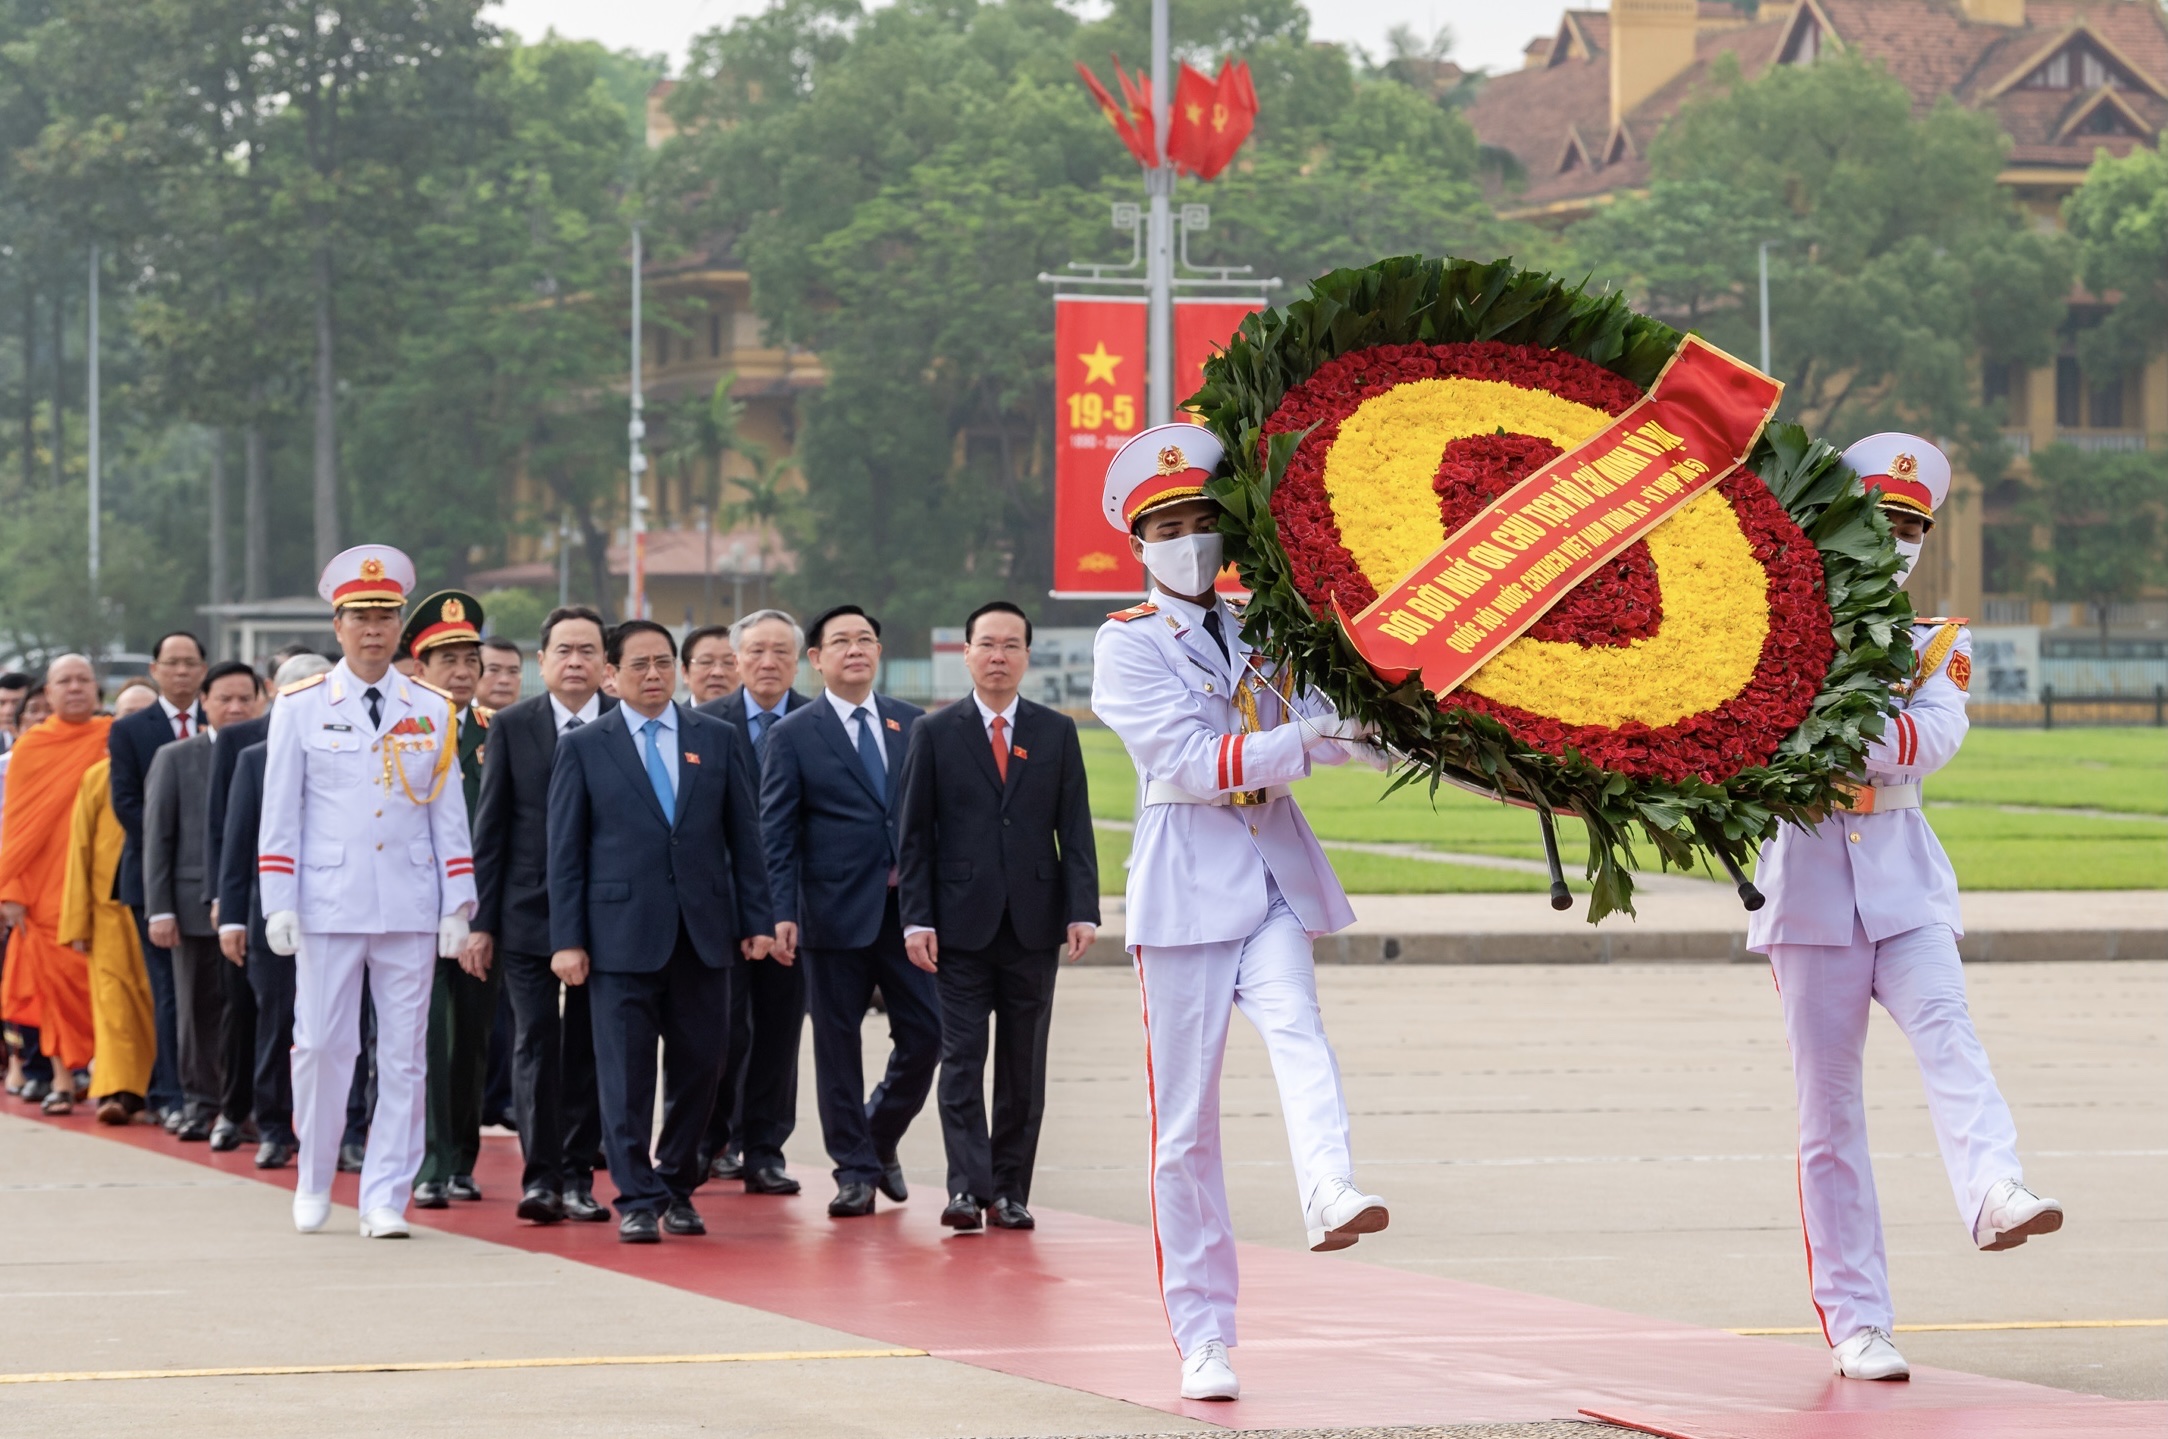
[[1896, 263]]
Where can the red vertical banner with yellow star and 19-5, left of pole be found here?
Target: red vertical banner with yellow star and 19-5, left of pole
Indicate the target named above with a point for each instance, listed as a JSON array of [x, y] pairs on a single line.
[[1098, 406]]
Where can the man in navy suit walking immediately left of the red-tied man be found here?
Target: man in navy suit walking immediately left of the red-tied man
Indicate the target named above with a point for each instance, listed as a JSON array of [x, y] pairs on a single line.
[[829, 801]]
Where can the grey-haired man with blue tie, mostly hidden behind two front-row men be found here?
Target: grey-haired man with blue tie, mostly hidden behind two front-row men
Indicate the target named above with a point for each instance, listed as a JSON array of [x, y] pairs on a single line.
[[758, 1100]]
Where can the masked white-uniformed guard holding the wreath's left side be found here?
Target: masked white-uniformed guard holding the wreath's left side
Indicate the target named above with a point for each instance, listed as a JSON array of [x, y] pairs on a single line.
[[1226, 890]]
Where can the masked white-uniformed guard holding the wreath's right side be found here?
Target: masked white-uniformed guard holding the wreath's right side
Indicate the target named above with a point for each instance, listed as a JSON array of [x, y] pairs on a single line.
[[1866, 907]]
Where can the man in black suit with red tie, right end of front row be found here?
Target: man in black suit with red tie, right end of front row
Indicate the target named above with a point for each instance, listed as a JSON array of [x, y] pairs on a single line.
[[998, 872]]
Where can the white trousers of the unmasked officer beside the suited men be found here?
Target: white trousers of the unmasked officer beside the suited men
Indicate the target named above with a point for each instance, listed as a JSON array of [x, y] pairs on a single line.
[[328, 1037]]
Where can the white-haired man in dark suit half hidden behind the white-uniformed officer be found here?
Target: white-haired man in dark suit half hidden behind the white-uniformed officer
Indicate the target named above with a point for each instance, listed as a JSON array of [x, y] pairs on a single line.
[[242, 918]]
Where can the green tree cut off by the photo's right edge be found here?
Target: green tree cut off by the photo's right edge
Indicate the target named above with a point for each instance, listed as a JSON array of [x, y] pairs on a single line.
[[2119, 220]]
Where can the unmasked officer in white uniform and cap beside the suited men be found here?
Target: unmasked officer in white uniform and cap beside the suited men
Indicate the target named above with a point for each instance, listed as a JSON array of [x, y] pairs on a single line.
[[365, 868]]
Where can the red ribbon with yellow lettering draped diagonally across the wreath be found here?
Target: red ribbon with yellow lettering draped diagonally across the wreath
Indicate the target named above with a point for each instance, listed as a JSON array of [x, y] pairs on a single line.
[[1506, 569]]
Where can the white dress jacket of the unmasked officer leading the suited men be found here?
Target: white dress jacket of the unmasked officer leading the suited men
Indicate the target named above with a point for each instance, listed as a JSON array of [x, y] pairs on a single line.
[[346, 840]]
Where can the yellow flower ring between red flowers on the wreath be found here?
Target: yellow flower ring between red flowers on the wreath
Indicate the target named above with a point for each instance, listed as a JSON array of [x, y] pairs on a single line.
[[1716, 595]]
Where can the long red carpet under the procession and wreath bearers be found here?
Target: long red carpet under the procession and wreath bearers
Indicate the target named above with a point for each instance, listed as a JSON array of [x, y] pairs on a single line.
[[1328, 1340]]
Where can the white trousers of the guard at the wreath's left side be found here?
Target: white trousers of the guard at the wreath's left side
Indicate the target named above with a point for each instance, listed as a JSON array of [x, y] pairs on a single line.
[[1191, 994]]
